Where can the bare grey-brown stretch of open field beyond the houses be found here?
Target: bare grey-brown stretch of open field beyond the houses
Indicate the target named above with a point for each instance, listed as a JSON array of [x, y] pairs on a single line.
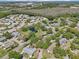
[[50, 11]]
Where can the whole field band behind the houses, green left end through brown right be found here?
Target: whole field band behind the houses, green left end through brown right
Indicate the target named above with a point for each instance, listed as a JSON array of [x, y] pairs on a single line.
[[46, 12]]
